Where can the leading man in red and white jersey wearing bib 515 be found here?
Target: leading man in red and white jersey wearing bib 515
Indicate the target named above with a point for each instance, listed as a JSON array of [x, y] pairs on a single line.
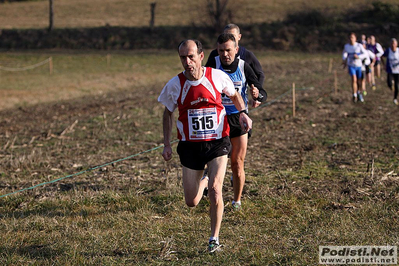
[[202, 129]]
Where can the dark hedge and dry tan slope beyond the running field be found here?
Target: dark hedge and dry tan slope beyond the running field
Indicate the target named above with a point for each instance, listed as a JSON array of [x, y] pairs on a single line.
[[121, 24]]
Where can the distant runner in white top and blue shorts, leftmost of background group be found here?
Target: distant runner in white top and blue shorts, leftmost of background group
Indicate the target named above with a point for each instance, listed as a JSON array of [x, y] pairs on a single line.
[[352, 56]]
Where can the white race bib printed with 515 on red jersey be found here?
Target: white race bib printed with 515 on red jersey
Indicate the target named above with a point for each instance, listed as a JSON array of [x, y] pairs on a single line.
[[202, 123]]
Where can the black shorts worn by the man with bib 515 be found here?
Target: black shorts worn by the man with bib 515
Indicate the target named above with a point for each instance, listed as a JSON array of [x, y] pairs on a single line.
[[195, 155]]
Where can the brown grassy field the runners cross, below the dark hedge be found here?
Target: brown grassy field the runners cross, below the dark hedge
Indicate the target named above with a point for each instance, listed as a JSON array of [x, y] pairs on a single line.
[[326, 177]]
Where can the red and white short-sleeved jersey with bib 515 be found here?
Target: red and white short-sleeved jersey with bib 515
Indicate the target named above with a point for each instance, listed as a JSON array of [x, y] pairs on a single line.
[[202, 117]]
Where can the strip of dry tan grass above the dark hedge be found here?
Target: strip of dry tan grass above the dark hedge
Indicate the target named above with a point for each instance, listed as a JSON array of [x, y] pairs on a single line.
[[99, 13]]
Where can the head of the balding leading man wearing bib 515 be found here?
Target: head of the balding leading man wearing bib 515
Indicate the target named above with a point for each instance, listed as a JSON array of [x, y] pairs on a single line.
[[191, 60]]
